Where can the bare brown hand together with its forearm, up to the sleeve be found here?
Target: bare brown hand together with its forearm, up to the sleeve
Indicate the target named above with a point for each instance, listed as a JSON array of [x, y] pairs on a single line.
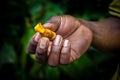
[[74, 36]]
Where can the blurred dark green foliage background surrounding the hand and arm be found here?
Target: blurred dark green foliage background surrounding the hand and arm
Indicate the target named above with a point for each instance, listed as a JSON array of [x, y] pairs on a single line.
[[18, 18]]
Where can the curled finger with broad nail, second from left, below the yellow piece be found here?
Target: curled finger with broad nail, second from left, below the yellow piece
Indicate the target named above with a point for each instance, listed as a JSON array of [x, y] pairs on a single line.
[[41, 50]]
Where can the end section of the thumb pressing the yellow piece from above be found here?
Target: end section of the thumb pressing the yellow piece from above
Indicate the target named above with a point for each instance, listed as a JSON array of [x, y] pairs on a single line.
[[53, 23]]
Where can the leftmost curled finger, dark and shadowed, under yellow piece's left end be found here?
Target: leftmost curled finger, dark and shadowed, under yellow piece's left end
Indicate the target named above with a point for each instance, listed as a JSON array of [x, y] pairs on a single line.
[[33, 43]]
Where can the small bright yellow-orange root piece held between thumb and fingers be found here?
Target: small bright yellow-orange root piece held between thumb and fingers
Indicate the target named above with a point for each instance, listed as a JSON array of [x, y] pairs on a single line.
[[45, 32]]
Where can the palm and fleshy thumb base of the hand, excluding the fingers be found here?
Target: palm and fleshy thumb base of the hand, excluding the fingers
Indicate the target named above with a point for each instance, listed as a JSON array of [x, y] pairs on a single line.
[[78, 35]]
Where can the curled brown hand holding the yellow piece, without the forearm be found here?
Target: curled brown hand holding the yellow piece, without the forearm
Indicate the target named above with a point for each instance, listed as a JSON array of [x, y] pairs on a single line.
[[72, 41]]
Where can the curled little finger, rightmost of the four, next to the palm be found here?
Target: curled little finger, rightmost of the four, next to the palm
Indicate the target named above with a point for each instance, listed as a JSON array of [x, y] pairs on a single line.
[[65, 53]]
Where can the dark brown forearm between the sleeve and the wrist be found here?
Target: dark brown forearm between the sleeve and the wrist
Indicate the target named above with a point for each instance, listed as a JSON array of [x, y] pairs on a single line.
[[106, 34]]
